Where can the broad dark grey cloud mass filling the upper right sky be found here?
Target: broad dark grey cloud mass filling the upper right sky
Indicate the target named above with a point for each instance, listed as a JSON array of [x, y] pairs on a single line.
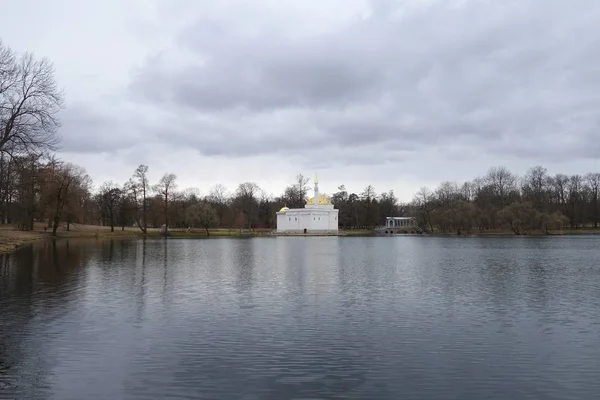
[[499, 75]]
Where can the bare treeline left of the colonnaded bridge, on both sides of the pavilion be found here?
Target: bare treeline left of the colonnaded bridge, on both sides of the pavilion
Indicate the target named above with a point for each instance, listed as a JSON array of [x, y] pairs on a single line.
[[49, 190]]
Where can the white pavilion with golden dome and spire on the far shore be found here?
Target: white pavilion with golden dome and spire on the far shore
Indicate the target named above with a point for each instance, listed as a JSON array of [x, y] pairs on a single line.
[[317, 216]]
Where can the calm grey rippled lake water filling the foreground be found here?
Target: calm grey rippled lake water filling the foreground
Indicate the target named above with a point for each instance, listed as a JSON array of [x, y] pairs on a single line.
[[302, 318]]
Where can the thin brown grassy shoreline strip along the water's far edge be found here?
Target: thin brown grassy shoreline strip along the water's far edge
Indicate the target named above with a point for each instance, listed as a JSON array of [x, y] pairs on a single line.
[[12, 239]]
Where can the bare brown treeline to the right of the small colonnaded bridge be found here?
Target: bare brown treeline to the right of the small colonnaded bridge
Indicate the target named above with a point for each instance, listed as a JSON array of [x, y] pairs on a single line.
[[537, 201]]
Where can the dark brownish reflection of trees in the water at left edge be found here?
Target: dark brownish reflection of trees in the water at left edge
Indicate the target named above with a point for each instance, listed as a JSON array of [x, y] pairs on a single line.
[[35, 283]]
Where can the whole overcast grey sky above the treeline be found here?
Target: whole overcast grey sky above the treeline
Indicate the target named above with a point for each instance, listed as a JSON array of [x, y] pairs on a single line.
[[396, 94]]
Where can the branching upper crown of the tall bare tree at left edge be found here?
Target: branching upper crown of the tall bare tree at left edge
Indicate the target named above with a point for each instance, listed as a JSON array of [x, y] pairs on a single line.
[[29, 103]]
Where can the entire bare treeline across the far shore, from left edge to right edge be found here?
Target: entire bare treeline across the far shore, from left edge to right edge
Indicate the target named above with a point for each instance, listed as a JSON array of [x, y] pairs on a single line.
[[38, 189]]
